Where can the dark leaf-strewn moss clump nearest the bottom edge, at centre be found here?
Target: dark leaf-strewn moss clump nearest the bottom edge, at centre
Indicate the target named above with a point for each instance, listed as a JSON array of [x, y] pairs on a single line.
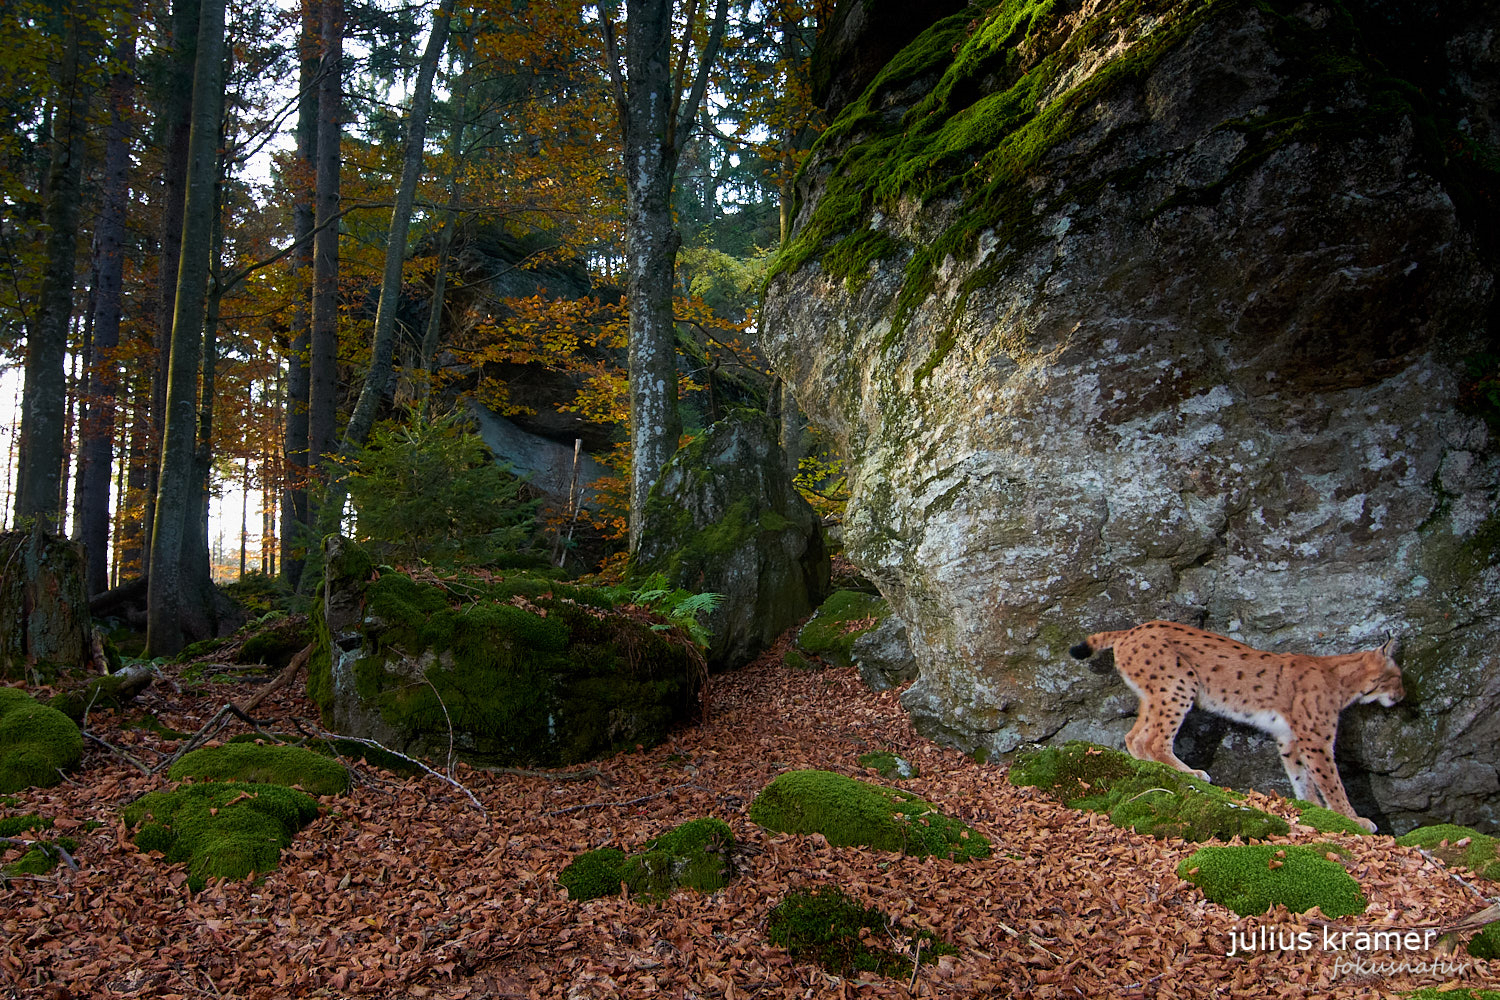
[[824, 927]]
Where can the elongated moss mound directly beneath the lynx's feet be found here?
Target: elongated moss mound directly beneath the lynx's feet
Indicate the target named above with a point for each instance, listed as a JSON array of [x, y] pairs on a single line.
[[1142, 795]]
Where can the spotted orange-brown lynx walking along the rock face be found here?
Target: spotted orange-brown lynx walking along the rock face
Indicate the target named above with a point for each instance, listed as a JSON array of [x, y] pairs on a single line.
[[1295, 698]]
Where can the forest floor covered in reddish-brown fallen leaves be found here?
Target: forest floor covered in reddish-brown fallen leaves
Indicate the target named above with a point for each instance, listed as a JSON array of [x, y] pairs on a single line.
[[403, 888]]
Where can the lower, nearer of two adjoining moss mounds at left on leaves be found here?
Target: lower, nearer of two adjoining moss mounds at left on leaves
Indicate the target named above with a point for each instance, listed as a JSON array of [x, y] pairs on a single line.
[[223, 830]]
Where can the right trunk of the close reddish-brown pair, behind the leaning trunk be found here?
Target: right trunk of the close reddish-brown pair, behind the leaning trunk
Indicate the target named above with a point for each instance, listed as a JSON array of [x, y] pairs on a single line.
[[325, 349]]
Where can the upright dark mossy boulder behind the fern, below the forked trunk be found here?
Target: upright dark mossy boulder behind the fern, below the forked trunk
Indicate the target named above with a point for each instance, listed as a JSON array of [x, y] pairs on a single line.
[[725, 518]]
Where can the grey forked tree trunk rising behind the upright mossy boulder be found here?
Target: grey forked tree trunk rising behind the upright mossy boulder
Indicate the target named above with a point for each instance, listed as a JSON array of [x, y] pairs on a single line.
[[655, 115]]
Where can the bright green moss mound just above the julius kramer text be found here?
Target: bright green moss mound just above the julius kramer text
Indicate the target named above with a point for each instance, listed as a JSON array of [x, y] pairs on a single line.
[[1252, 878]]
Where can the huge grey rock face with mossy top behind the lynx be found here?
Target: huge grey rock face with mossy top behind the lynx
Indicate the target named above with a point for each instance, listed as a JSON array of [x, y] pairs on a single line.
[[1168, 311]]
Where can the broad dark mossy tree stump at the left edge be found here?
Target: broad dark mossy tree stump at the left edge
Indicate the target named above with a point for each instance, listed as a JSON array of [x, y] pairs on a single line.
[[44, 606]]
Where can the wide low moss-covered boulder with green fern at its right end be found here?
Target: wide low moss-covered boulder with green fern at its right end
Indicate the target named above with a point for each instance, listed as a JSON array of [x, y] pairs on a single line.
[[505, 671]]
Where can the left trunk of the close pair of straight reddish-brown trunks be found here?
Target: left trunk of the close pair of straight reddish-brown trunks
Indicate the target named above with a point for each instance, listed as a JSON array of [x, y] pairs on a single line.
[[295, 507]]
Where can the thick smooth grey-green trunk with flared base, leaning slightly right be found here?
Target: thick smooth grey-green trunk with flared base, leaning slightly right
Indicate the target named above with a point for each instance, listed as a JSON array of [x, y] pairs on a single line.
[[175, 487]]
